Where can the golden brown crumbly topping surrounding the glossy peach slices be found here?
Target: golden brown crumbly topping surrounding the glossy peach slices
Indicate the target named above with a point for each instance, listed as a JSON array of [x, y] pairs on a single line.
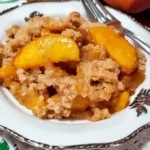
[[95, 78]]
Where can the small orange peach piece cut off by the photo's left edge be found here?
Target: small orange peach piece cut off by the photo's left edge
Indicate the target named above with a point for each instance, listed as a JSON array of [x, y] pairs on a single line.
[[7, 71]]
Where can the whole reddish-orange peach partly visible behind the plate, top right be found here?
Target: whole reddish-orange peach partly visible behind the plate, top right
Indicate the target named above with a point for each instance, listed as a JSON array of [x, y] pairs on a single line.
[[130, 6]]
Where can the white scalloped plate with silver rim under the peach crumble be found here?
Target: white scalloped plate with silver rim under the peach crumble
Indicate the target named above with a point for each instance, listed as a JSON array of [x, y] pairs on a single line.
[[14, 118]]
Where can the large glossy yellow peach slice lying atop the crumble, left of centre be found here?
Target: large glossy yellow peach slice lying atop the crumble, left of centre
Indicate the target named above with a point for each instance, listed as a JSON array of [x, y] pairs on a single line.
[[52, 48]]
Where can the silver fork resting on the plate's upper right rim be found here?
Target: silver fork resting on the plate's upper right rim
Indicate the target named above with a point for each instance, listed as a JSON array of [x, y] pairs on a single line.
[[101, 14]]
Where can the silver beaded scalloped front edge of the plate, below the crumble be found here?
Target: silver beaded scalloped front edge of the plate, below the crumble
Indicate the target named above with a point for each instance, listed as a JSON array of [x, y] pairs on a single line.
[[84, 146]]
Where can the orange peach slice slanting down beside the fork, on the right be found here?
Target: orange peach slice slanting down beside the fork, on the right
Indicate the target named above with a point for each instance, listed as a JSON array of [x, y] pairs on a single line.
[[117, 47]]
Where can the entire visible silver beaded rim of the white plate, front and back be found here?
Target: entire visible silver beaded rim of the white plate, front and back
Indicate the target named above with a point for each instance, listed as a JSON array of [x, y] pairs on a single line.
[[81, 146]]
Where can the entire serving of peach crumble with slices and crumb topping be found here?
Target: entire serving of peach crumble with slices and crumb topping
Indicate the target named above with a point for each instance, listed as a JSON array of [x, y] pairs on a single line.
[[70, 68]]
